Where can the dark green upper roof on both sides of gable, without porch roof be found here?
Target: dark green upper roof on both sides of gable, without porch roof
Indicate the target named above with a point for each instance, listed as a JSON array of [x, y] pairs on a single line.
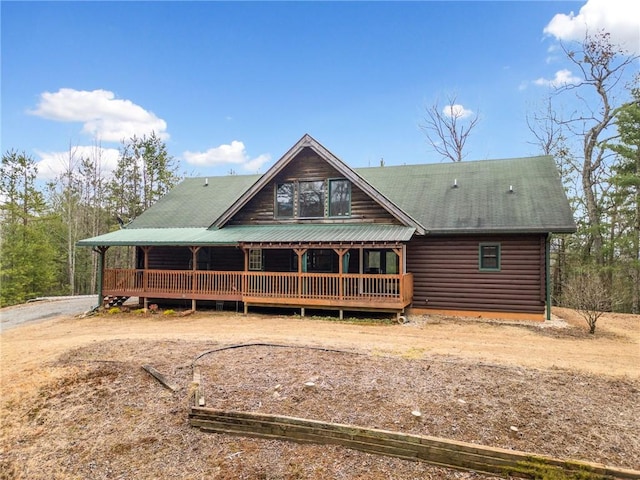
[[481, 202]]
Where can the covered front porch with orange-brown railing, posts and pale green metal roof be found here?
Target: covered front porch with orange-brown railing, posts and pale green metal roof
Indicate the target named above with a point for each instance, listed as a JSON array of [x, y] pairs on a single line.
[[347, 273]]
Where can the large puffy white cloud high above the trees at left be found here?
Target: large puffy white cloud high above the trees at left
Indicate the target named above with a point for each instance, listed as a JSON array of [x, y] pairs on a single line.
[[105, 117]]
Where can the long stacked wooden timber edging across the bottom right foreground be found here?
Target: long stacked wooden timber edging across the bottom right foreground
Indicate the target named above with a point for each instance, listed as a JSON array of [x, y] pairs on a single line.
[[433, 450]]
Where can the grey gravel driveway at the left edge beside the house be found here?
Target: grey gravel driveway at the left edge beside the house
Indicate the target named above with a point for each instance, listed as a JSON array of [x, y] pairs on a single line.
[[44, 308]]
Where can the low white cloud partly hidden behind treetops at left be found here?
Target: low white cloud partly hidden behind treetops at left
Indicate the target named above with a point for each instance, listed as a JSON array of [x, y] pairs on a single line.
[[52, 164]]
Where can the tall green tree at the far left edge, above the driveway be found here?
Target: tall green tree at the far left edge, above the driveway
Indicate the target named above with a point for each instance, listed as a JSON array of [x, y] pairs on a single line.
[[27, 257]]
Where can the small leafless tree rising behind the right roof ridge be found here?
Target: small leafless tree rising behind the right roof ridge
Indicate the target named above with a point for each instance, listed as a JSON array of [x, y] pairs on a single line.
[[448, 128]]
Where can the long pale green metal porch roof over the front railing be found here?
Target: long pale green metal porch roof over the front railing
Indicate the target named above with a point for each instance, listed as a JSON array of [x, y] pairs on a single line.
[[233, 235]]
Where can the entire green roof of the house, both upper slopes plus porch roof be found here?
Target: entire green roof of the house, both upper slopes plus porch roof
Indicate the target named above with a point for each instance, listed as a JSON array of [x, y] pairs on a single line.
[[508, 196]]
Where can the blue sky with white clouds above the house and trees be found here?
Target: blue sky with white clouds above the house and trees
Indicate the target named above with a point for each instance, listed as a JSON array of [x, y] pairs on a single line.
[[232, 85]]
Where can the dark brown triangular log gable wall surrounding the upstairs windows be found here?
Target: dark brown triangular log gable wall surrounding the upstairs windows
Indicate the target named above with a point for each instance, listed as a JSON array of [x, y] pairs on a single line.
[[309, 166]]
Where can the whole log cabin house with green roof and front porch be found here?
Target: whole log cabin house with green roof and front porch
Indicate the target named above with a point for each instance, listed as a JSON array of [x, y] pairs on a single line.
[[469, 238]]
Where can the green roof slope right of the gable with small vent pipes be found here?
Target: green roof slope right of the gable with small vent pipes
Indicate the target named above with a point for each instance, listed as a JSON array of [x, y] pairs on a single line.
[[481, 201]]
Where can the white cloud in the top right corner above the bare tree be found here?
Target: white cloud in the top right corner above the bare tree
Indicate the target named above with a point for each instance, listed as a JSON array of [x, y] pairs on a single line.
[[621, 18]]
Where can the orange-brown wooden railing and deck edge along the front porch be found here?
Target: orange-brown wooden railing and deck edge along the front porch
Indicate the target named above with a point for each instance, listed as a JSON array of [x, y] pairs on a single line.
[[321, 290]]
